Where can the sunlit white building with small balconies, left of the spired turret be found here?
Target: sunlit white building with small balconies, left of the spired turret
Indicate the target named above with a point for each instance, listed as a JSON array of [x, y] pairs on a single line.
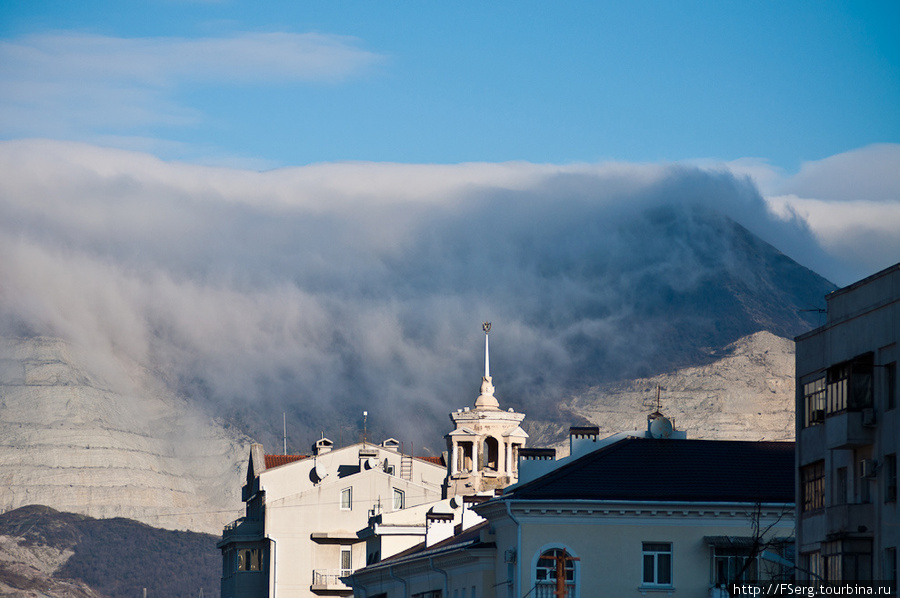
[[305, 519]]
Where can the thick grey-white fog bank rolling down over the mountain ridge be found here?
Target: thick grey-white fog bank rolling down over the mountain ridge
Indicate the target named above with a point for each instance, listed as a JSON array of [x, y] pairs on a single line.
[[328, 289]]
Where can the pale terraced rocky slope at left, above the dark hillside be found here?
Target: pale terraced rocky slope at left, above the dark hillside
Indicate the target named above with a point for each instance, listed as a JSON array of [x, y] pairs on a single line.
[[77, 442]]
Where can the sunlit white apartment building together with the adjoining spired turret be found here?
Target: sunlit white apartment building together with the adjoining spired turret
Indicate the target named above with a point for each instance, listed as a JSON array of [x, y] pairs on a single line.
[[312, 520]]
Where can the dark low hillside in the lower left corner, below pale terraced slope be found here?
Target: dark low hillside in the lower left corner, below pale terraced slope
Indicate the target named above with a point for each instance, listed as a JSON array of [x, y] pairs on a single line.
[[48, 554]]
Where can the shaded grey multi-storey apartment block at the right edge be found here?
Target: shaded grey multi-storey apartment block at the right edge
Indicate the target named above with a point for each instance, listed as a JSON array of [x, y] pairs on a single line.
[[848, 525]]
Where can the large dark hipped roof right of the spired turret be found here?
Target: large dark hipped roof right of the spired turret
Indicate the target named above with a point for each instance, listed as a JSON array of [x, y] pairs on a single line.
[[672, 470]]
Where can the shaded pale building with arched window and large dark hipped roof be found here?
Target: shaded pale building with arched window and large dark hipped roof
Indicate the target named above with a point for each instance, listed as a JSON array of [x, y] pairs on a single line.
[[650, 545]]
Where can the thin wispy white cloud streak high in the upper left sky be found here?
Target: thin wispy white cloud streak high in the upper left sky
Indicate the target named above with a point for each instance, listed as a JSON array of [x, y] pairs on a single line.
[[70, 83]]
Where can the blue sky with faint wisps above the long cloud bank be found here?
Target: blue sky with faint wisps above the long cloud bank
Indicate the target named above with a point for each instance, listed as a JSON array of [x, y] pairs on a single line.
[[289, 83]]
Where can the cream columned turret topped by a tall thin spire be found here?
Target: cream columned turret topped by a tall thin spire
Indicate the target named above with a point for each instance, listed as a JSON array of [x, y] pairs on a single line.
[[483, 449]]
